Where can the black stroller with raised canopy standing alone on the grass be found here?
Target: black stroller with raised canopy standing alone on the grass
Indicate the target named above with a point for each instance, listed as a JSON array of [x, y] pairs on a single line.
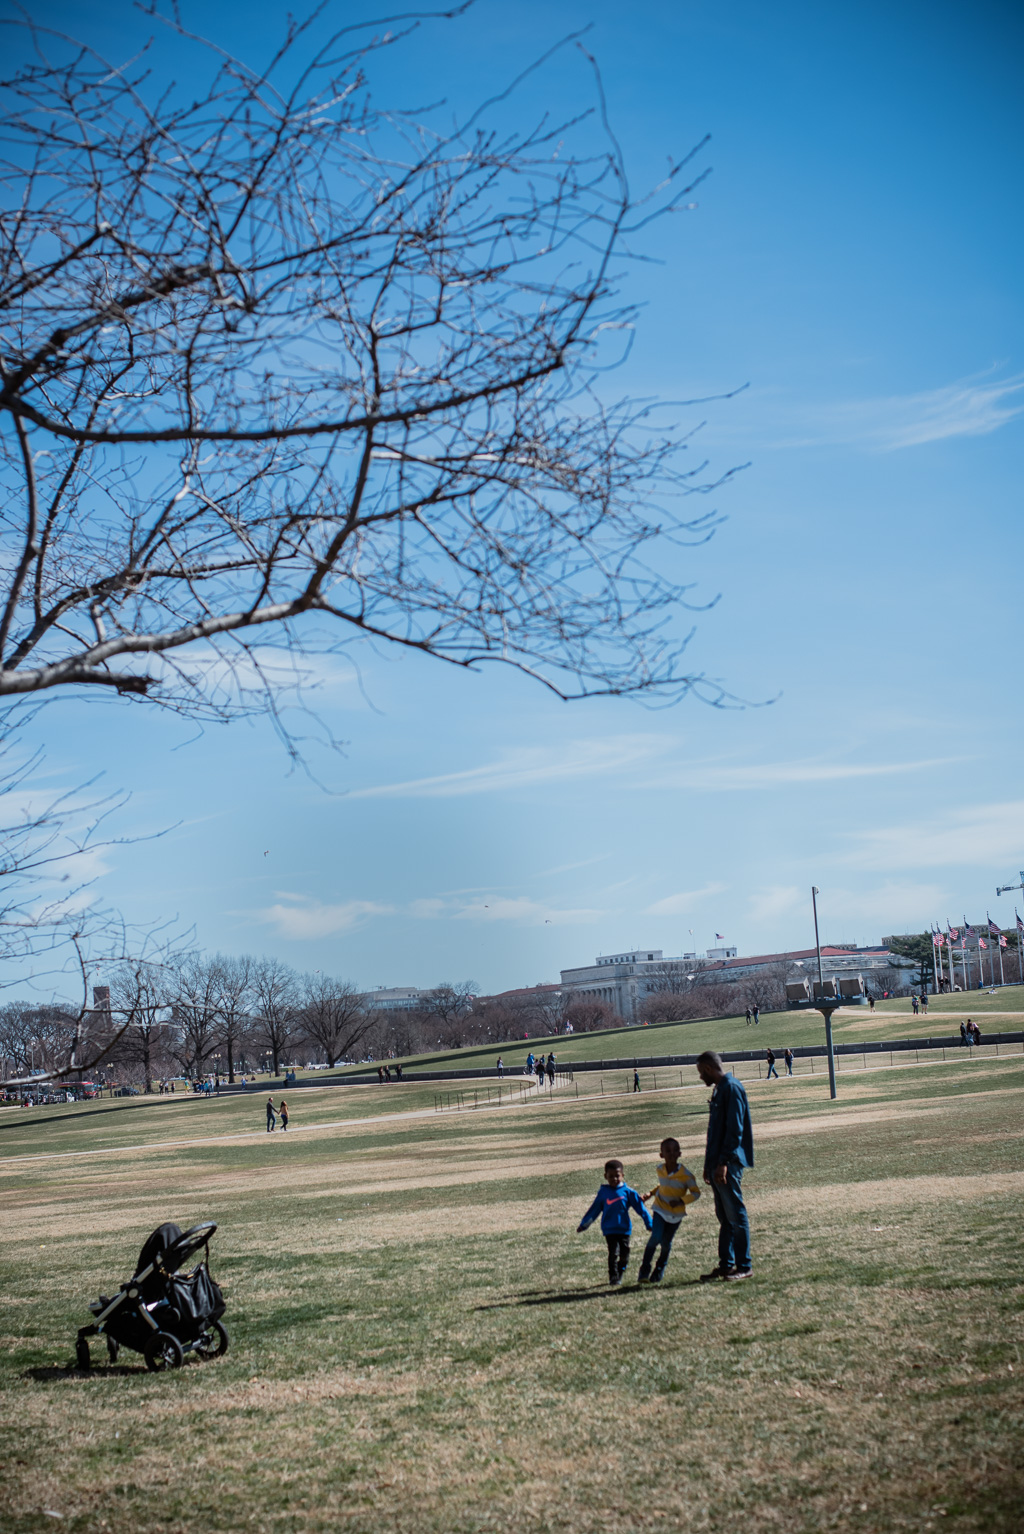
[[162, 1312]]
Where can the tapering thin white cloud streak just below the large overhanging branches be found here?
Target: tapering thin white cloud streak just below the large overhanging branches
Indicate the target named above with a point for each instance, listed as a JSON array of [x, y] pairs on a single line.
[[525, 768]]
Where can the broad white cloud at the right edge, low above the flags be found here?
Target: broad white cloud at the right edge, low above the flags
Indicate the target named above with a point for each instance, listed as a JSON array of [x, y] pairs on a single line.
[[986, 834]]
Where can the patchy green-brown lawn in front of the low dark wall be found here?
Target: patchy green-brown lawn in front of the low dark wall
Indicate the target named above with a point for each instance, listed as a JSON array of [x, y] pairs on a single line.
[[422, 1343]]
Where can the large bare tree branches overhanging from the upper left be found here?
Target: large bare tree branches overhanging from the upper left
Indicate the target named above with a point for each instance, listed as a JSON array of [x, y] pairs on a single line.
[[275, 354]]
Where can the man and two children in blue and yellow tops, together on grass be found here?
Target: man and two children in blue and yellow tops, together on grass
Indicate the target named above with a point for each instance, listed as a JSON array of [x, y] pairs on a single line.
[[729, 1151]]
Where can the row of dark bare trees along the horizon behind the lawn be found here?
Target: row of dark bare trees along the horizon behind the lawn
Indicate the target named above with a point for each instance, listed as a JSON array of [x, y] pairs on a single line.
[[200, 1016]]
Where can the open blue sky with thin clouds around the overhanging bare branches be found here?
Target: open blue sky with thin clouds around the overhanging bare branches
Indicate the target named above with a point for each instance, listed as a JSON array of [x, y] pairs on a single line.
[[855, 258]]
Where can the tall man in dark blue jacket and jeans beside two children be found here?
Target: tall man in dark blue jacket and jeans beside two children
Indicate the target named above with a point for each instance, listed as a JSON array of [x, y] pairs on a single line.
[[730, 1148]]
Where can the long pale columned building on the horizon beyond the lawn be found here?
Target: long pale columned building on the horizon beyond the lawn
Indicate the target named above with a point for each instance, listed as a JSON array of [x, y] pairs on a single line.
[[625, 979]]
